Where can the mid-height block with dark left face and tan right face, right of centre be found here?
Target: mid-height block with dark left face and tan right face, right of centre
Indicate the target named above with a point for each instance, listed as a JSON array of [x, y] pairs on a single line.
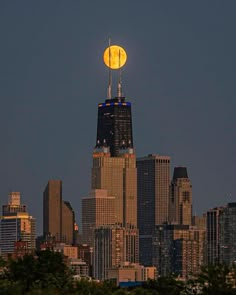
[[178, 249]]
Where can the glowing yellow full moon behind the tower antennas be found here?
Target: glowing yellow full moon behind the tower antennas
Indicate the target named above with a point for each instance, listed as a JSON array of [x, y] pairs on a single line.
[[114, 57]]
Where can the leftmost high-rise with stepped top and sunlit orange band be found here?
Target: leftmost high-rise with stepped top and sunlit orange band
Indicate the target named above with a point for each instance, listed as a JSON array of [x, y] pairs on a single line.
[[16, 225]]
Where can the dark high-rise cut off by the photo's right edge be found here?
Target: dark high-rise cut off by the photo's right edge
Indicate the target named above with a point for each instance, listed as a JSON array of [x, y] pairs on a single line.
[[227, 234]]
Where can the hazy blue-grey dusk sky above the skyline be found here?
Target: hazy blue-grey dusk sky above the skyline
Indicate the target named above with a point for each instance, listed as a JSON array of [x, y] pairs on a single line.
[[180, 78]]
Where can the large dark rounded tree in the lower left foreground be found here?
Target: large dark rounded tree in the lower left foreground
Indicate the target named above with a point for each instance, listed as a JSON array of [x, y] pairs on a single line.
[[46, 272]]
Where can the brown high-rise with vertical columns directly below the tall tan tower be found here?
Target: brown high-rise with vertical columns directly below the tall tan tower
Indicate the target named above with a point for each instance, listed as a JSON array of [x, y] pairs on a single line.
[[114, 246]]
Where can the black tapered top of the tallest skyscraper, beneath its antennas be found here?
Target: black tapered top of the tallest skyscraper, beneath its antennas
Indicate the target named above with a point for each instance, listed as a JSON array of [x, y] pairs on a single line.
[[115, 124]]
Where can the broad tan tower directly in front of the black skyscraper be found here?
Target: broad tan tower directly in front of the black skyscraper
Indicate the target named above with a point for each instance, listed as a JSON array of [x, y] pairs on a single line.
[[118, 175]]
